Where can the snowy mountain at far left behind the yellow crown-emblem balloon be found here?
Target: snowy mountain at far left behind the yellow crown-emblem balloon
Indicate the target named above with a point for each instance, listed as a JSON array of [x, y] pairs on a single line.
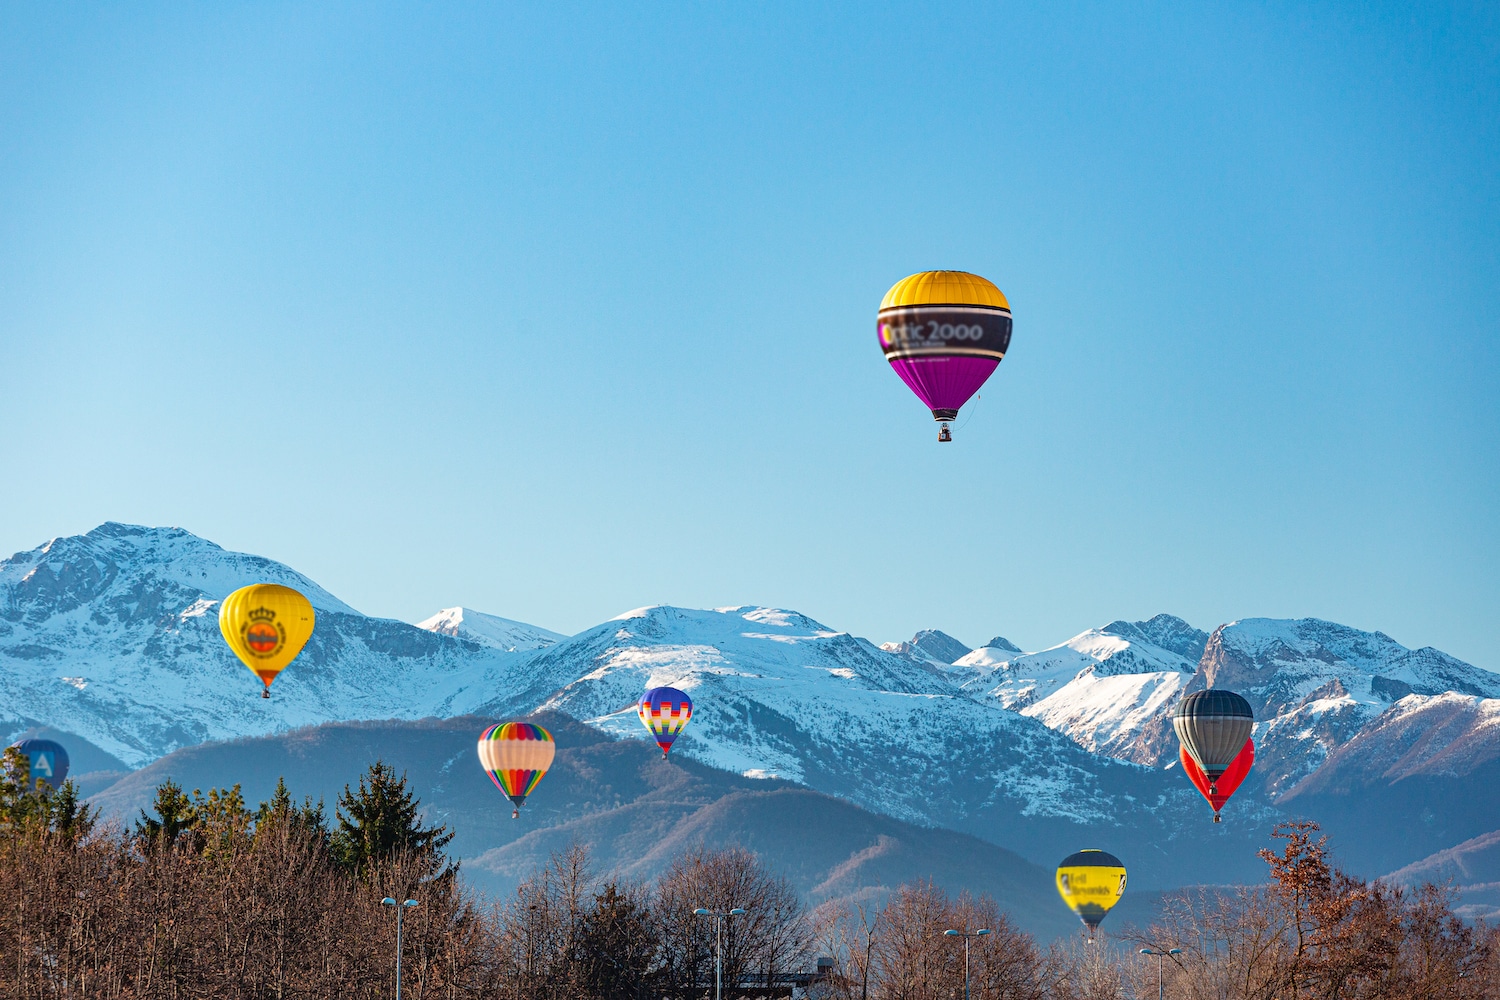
[[115, 636]]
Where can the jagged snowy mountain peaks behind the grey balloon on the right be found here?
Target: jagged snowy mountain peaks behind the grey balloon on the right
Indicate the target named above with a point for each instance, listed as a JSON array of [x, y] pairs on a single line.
[[1315, 686]]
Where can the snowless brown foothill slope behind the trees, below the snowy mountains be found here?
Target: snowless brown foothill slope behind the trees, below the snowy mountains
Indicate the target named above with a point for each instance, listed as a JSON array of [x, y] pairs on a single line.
[[620, 798]]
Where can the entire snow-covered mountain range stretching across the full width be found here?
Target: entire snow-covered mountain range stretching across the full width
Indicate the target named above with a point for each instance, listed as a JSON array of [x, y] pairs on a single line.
[[113, 636]]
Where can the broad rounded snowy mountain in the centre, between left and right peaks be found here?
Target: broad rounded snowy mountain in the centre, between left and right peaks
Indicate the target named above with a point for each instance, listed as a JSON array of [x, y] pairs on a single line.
[[779, 695]]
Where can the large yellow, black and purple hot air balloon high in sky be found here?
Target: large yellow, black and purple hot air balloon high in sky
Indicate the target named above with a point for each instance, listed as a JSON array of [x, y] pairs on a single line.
[[944, 332]]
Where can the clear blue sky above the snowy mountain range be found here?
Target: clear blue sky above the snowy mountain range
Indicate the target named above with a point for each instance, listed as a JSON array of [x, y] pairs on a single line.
[[559, 311]]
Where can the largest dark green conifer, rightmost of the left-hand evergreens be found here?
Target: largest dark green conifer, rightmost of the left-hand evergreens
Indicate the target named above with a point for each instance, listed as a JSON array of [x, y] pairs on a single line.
[[382, 822]]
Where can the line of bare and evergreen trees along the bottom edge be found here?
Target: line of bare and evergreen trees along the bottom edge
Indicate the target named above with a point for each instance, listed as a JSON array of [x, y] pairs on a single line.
[[206, 897]]
